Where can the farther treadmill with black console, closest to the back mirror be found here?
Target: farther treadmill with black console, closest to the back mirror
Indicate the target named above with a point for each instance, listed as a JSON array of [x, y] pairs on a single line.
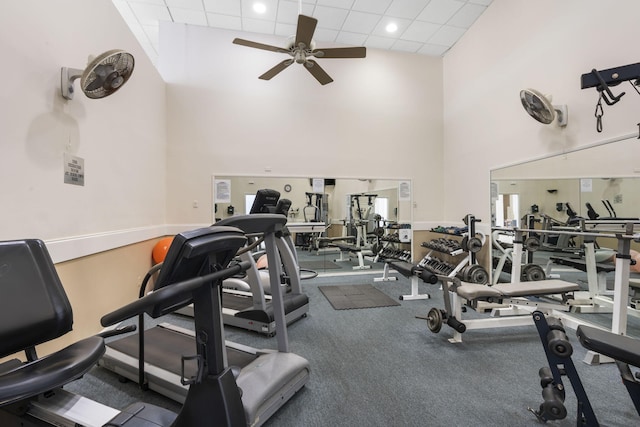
[[253, 310]]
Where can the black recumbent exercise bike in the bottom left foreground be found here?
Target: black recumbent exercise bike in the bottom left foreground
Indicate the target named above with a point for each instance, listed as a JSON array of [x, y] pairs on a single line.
[[34, 309]]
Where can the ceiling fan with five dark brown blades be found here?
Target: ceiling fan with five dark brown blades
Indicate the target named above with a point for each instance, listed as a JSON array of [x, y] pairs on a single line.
[[302, 49]]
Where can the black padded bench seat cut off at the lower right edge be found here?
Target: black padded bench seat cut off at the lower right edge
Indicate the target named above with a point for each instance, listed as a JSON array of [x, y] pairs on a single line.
[[618, 347]]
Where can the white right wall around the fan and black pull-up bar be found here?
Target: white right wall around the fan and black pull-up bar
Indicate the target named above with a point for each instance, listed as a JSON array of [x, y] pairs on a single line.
[[546, 45]]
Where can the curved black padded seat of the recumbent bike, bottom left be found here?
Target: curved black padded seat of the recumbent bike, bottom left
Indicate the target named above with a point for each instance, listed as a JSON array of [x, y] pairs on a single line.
[[49, 372]]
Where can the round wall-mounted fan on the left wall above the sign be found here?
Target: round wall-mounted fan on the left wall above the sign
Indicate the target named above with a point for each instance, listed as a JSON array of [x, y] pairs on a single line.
[[103, 76]]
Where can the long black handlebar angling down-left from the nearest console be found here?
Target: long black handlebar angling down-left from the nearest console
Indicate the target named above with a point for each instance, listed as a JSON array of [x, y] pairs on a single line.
[[176, 290]]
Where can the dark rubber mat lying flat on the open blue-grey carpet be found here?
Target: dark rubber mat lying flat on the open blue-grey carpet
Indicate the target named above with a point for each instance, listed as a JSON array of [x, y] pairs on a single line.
[[347, 297]]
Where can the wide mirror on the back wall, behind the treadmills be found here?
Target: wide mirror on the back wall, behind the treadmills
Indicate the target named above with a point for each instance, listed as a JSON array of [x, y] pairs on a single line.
[[338, 204]]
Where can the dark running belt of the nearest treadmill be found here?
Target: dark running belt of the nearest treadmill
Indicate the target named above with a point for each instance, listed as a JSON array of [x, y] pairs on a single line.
[[164, 348]]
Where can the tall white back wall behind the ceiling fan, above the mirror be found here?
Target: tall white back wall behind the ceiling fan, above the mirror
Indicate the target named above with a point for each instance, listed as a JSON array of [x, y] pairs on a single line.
[[380, 118]]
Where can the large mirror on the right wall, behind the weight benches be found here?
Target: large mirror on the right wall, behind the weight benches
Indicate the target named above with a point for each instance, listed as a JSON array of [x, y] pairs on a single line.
[[600, 182]]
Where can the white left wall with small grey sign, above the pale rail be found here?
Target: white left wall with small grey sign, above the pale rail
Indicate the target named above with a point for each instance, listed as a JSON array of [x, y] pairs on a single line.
[[122, 138]]
